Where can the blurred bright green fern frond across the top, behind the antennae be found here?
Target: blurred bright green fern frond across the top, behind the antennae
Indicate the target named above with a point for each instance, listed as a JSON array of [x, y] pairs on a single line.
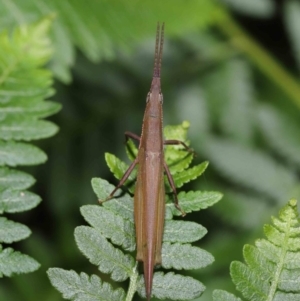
[[89, 27]]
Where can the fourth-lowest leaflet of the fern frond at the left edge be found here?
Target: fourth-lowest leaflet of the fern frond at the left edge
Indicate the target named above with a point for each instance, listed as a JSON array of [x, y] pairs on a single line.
[[14, 178]]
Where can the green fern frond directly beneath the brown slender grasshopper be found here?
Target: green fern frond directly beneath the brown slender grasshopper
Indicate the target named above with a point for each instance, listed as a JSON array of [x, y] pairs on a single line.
[[112, 225]]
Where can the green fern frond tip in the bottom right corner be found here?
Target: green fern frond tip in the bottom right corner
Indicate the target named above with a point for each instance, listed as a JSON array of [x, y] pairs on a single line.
[[272, 267]]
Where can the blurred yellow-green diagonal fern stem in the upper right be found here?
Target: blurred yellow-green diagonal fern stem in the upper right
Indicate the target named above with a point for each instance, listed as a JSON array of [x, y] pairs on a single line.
[[263, 60]]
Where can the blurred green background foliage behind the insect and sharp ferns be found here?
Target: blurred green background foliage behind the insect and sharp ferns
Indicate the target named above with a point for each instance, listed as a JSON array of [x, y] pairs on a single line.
[[230, 67]]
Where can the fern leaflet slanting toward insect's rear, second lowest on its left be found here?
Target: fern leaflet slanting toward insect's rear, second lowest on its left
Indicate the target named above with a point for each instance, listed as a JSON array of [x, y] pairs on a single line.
[[100, 252]]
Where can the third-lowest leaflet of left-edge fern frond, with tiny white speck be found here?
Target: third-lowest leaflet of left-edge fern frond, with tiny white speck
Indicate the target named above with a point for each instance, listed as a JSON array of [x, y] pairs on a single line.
[[12, 201]]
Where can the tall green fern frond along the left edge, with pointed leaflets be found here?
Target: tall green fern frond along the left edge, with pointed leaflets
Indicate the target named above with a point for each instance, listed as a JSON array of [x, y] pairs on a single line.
[[24, 86]]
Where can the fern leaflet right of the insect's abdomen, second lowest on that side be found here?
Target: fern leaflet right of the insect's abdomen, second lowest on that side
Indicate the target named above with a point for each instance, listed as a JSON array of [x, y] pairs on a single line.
[[184, 256]]
